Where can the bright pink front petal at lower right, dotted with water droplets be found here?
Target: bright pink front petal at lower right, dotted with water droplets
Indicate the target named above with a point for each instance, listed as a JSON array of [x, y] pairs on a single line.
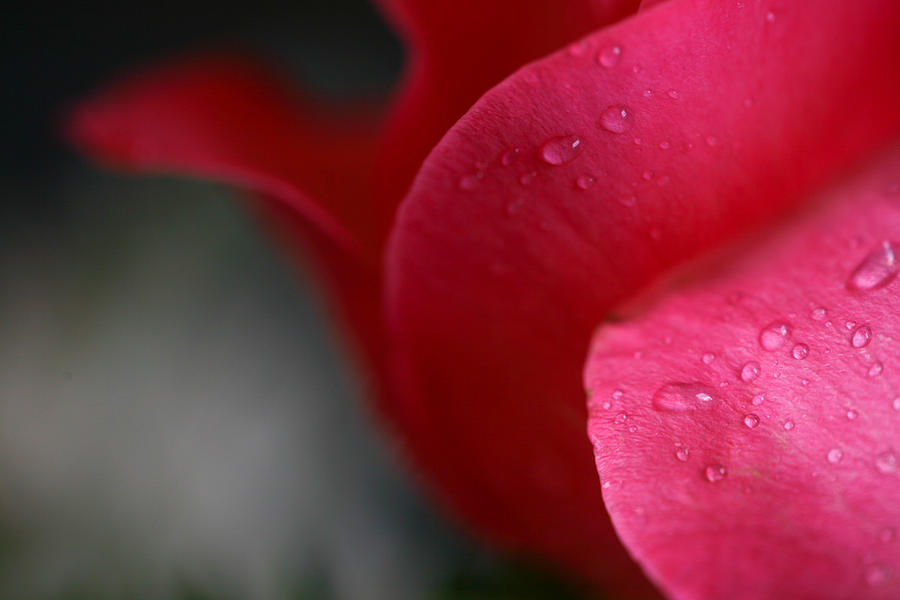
[[782, 478]]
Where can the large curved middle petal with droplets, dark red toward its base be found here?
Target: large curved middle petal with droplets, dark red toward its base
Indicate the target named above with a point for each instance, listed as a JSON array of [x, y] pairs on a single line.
[[497, 273]]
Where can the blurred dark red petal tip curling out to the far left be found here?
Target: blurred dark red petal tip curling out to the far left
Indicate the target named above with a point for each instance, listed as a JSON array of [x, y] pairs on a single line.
[[226, 118]]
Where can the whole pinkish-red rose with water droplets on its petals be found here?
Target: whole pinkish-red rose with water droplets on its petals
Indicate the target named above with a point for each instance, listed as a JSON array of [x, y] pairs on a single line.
[[564, 191]]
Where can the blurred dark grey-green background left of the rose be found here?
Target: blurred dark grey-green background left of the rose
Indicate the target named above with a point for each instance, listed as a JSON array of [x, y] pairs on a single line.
[[176, 420]]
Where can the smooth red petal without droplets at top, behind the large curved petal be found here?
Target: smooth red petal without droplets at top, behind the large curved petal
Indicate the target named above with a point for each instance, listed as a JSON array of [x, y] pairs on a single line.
[[461, 48]]
